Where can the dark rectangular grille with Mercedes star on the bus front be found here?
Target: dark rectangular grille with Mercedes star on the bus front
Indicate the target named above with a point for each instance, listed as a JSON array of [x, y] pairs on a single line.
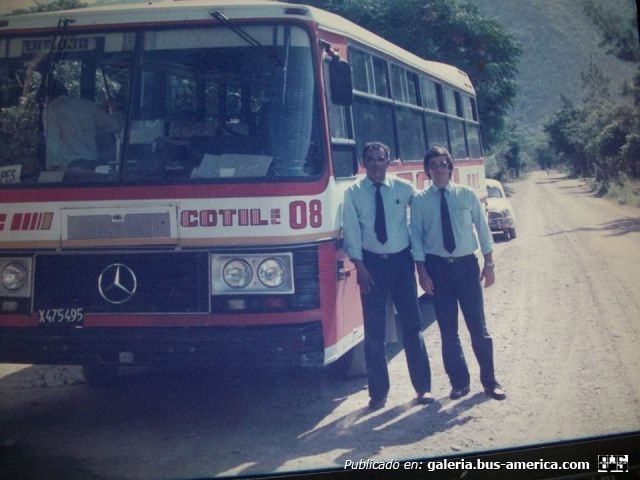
[[171, 282]]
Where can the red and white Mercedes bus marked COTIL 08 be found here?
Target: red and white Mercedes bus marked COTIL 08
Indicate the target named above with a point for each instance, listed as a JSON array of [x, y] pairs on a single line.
[[208, 228]]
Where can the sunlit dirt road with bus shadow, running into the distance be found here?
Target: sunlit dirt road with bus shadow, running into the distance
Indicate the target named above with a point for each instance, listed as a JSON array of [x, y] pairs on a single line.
[[564, 314]]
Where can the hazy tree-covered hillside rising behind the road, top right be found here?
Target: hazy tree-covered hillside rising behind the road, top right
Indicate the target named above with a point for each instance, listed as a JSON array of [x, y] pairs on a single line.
[[558, 42]]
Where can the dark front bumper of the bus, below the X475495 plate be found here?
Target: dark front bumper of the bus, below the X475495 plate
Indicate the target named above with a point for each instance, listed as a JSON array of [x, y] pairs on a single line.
[[281, 345]]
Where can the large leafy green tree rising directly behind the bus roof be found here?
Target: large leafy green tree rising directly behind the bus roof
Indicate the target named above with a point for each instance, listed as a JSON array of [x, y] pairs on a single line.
[[448, 32]]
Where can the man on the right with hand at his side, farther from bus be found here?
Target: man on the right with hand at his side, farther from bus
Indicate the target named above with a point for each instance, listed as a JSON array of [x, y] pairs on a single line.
[[445, 219]]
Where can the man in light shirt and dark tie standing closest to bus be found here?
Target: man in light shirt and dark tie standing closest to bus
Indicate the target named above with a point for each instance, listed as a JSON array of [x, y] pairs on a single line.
[[376, 238]]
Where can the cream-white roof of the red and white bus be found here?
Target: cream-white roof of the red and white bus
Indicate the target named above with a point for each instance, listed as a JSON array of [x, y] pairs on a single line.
[[199, 10]]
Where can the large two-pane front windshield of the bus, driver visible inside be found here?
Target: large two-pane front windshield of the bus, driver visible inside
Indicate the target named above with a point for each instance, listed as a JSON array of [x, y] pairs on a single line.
[[158, 106]]
